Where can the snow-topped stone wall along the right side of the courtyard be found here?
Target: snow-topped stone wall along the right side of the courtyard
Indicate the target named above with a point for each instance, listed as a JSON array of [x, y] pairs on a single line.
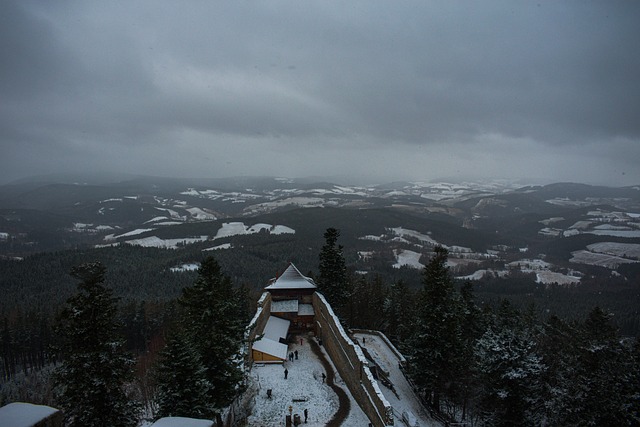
[[351, 364]]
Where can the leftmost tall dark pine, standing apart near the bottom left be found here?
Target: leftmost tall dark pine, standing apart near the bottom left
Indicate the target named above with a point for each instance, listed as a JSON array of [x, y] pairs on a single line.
[[95, 368]]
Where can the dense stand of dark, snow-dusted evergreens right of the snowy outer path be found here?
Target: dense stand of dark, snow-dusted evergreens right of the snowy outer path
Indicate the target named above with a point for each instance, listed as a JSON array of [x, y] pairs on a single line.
[[505, 367]]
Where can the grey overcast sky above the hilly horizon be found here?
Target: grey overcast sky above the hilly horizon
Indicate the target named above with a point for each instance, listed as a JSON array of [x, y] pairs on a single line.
[[380, 90]]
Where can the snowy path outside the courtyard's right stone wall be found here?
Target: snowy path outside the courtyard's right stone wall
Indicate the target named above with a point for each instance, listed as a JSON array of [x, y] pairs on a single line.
[[406, 398]]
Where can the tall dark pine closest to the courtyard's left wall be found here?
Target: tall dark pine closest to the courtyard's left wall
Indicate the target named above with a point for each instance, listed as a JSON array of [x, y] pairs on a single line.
[[213, 322]]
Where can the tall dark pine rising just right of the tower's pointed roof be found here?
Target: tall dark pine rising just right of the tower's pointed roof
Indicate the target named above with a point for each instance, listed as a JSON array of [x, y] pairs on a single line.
[[333, 281]]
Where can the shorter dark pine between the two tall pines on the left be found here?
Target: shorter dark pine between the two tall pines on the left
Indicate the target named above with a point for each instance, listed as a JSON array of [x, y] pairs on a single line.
[[181, 379]]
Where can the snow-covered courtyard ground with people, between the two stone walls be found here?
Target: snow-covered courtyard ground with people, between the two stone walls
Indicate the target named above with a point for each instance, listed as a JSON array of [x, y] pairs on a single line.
[[304, 385]]
